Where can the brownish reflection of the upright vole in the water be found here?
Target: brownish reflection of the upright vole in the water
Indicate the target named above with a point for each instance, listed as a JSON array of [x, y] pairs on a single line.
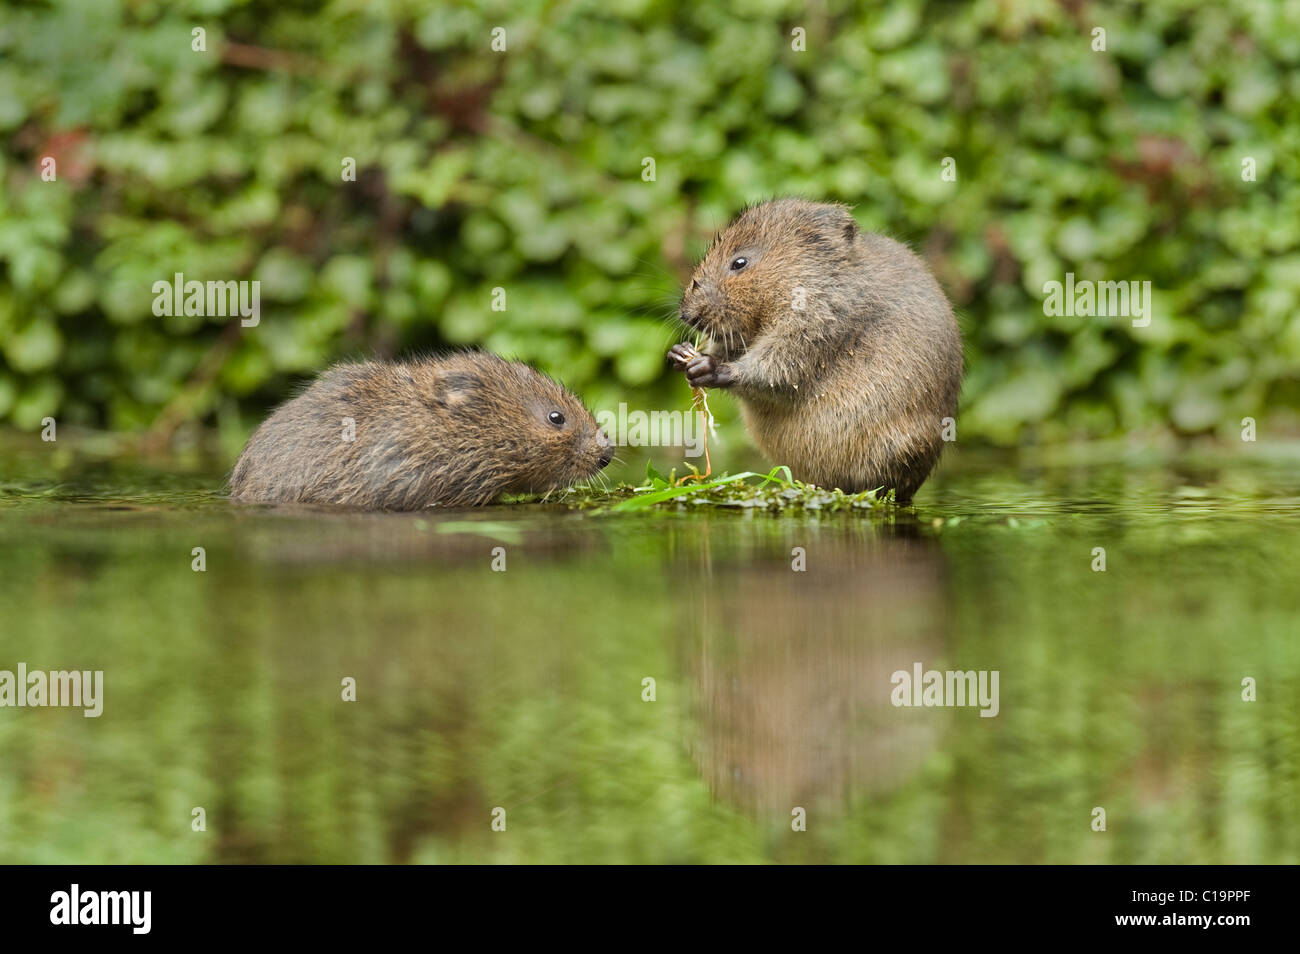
[[791, 671]]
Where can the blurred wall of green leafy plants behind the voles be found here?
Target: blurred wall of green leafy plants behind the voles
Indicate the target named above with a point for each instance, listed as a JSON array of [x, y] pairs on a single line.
[[523, 170]]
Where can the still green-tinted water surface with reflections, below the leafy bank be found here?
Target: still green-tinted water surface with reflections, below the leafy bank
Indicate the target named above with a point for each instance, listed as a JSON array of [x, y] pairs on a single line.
[[526, 690]]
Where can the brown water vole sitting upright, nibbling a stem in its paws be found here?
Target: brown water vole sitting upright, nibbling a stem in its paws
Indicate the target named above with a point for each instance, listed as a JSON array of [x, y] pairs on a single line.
[[839, 344]]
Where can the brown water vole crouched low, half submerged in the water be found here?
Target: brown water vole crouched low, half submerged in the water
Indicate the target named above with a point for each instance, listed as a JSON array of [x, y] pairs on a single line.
[[457, 431]]
